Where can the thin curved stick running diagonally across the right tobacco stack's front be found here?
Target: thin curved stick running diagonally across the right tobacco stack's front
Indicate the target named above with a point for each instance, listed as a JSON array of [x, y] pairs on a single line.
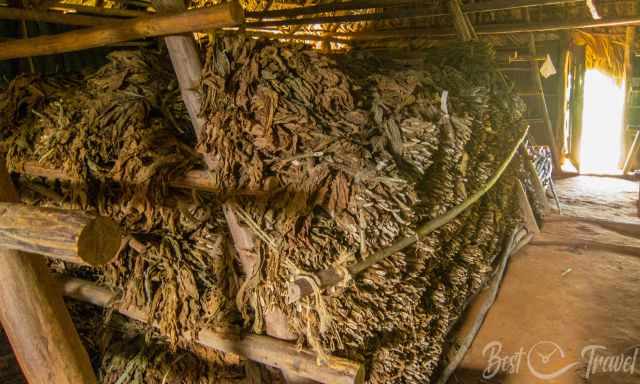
[[300, 288]]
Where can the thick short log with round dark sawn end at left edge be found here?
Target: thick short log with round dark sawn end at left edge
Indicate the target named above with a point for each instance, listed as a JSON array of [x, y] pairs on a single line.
[[72, 236]]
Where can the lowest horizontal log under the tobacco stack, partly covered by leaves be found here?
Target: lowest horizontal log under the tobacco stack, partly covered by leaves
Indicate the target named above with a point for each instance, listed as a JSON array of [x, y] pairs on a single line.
[[262, 349]]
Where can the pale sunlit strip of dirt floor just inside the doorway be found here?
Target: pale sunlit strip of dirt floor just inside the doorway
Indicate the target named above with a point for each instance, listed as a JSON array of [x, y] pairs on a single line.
[[607, 198]]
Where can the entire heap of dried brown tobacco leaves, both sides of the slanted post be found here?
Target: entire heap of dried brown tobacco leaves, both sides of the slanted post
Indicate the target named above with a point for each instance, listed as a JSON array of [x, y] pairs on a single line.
[[356, 151]]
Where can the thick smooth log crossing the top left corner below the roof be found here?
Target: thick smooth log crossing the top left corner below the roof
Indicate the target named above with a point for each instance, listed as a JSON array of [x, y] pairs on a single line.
[[225, 15]]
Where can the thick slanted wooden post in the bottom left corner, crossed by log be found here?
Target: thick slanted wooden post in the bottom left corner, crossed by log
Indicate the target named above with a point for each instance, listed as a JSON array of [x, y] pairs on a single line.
[[35, 318]]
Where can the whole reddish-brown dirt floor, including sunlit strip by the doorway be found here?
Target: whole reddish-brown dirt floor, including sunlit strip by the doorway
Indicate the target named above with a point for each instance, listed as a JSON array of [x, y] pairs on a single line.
[[568, 310]]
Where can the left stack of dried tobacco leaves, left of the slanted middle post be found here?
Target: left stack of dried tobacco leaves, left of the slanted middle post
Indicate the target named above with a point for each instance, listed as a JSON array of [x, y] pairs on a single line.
[[127, 122]]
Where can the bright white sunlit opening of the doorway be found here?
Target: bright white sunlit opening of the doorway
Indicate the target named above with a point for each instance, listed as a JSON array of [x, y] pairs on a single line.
[[602, 123]]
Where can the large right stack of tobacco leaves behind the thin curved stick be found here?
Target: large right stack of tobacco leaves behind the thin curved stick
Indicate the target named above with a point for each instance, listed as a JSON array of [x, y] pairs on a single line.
[[364, 150]]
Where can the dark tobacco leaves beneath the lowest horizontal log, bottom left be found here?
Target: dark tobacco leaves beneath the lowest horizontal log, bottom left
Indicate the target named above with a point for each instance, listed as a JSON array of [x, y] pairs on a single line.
[[120, 354]]
